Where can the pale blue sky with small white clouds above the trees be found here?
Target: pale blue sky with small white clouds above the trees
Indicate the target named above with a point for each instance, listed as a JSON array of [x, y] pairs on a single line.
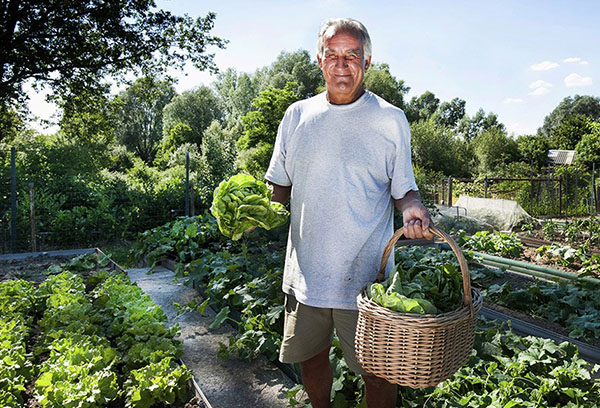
[[518, 59]]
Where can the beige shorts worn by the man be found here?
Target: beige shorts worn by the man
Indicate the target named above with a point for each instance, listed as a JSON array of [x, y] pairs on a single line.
[[309, 330]]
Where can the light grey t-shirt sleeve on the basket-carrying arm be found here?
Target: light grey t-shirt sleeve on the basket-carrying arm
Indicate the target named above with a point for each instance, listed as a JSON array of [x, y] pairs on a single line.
[[403, 178]]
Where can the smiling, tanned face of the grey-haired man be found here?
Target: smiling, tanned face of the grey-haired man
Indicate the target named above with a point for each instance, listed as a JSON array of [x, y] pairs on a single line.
[[343, 65]]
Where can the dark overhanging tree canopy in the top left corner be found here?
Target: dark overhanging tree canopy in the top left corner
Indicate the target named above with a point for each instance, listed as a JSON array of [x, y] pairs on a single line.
[[76, 44]]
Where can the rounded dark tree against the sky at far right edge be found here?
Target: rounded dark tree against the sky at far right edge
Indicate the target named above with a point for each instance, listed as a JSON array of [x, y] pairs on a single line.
[[588, 106]]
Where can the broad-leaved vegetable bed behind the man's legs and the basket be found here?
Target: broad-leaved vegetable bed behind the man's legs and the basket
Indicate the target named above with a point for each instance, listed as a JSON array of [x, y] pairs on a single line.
[[505, 370]]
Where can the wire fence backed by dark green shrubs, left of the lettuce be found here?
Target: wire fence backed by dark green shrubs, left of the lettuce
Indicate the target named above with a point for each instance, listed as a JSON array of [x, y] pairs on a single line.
[[39, 212]]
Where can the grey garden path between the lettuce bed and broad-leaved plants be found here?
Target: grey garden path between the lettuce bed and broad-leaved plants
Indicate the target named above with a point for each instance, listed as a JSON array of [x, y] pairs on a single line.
[[226, 383]]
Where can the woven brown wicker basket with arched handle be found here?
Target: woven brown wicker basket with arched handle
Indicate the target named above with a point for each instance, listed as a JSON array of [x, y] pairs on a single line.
[[416, 350]]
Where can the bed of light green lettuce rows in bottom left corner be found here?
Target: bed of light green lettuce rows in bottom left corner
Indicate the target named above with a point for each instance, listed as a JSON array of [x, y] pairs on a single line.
[[81, 335]]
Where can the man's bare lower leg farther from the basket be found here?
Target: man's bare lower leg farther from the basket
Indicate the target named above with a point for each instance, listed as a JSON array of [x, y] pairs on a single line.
[[317, 379]]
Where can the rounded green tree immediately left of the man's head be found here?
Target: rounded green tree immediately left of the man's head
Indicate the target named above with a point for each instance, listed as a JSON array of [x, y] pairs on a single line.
[[295, 67]]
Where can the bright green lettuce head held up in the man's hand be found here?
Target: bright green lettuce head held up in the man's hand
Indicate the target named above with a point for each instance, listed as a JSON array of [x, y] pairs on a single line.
[[242, 202]]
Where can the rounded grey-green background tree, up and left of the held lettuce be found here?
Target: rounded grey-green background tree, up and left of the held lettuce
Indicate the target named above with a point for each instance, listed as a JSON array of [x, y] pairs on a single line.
[[196, 108]]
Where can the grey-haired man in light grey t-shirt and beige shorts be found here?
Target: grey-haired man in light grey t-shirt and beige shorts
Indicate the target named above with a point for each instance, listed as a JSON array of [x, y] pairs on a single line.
[[343, 157]]
